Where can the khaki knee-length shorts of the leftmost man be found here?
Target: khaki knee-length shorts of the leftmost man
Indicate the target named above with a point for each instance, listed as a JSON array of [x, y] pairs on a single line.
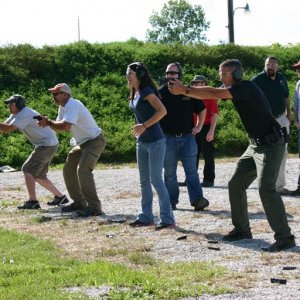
[[38, 162]]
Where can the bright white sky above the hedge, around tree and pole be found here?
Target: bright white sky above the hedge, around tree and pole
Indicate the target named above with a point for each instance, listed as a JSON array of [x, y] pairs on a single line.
[[55, 22]]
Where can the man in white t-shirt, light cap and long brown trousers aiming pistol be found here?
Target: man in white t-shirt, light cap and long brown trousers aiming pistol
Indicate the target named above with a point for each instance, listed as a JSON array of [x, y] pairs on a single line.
[[88, 144]]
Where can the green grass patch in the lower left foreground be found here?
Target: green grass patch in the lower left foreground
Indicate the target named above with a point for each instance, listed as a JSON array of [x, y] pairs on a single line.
[[38, 271]]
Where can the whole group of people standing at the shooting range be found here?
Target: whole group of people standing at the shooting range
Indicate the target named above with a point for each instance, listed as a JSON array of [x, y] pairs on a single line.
[[172, 125]]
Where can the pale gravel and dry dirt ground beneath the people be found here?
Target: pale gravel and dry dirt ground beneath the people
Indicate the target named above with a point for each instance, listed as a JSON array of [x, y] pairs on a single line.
[[118, 189]]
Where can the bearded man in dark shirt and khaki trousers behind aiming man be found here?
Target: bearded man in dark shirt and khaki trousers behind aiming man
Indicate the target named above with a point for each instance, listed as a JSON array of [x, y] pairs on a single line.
[[275, 87]]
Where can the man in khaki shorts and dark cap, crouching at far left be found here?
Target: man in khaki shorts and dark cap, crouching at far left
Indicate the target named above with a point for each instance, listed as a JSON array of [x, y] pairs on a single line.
[[35, 167]]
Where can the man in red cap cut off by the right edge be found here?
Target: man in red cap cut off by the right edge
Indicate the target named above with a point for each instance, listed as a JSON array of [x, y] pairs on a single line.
[[296, 66]]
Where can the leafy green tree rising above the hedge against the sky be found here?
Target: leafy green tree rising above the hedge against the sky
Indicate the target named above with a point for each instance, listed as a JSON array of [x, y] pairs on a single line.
[[179, 22]]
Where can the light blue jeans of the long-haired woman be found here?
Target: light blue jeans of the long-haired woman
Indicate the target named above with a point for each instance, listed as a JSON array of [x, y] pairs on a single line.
[[150, 158]]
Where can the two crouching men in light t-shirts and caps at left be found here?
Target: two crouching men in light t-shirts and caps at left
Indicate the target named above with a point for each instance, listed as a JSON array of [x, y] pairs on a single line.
[[87, 144]]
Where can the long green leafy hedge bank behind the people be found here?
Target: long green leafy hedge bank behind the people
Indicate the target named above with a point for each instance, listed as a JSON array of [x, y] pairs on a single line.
[[96, 73]]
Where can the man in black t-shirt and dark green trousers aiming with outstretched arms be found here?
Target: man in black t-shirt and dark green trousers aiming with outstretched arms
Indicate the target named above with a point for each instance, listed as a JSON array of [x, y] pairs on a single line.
[[262, 158]]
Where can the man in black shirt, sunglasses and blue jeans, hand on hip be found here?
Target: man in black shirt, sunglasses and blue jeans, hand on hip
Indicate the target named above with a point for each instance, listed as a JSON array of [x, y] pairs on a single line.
[[179, 129]]
